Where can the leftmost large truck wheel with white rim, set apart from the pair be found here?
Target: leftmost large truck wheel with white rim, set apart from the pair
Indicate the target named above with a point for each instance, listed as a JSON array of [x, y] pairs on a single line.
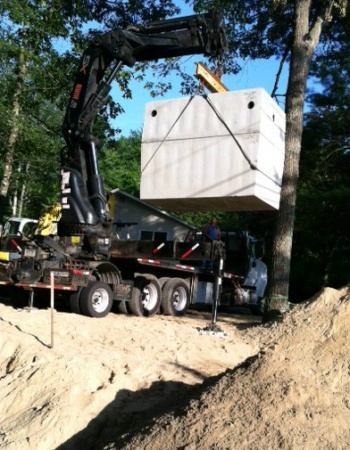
[[96, 299]]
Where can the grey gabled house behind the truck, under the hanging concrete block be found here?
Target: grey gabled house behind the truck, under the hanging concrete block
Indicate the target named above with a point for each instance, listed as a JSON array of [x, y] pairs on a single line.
[[138, 220]]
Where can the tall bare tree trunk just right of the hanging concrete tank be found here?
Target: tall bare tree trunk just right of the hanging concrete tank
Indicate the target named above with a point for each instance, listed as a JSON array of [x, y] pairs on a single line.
[[304, 44]]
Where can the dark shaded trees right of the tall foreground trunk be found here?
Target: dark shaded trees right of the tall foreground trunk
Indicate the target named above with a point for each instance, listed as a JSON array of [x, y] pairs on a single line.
[[321, 239]]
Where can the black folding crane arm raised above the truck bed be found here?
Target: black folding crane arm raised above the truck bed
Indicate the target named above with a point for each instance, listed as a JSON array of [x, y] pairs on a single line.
[[83, 198]]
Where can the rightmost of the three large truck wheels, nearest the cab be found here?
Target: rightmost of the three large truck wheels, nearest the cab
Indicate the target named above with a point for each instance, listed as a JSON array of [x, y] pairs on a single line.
[[176, 297]]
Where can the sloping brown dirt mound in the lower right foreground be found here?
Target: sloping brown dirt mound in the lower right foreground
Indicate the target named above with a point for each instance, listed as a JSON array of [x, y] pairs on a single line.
[[294, 394]]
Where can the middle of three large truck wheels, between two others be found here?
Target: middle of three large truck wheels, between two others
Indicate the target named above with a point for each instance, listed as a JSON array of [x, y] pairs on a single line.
[[146, 296]]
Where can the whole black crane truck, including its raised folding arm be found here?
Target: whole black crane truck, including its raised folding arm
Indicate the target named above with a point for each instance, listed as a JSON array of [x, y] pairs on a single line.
[[85, 262]]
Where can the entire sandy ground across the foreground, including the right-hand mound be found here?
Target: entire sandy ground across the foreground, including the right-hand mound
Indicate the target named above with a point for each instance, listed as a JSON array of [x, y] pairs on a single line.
[[124, 382]]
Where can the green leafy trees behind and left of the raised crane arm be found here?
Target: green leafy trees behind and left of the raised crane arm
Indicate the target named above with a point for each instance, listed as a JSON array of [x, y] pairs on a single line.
[[35, 72]]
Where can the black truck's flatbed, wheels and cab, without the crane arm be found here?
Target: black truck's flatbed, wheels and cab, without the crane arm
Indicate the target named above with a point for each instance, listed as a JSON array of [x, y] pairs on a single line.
[[142, 277]]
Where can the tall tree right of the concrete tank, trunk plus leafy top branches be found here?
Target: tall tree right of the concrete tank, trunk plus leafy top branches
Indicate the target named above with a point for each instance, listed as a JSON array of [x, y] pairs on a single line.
[[290, 30]]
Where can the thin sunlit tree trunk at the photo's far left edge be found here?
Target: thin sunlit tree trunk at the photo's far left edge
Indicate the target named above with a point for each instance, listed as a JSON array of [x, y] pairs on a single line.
[[14, 132]]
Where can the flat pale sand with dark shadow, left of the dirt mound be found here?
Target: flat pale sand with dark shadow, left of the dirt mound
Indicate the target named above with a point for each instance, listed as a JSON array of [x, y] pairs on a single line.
[[102, 375]]
